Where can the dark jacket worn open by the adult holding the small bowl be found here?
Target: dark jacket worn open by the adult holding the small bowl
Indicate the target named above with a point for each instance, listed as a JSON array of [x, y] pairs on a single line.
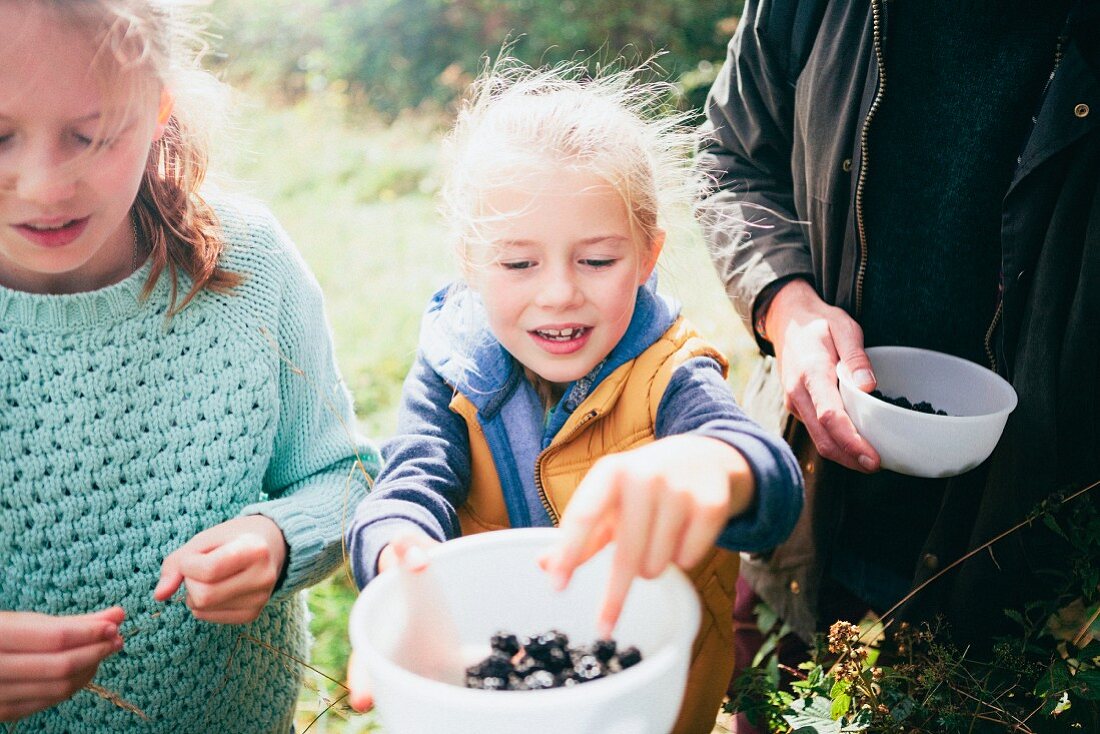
[[787, 145]]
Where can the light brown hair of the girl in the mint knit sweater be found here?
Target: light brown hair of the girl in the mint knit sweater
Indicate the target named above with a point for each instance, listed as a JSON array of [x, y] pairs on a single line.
[[144, 48]]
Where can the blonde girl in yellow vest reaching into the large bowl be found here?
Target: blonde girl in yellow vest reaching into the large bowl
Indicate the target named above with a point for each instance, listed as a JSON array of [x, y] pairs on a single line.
[[556, 387]]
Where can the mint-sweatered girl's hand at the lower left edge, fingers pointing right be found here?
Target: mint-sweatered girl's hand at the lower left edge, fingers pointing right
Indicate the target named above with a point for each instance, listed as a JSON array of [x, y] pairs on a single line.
[[46, 660]]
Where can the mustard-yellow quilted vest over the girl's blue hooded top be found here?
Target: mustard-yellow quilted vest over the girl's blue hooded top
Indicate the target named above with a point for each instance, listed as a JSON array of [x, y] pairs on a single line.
[[621, 414]]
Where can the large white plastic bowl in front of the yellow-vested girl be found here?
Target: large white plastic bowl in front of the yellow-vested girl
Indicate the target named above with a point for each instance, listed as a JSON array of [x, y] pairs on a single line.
[[483, 584]]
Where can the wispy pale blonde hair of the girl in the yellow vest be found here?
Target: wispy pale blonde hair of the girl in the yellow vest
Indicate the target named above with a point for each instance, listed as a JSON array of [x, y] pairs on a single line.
[[613, 124]]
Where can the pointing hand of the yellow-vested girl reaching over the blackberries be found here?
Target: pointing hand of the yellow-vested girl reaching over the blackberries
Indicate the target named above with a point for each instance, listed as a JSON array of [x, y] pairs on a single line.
[[663, 503]]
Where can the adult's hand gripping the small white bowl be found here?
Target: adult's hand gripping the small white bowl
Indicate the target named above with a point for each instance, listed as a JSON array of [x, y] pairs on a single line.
[[811, 338]]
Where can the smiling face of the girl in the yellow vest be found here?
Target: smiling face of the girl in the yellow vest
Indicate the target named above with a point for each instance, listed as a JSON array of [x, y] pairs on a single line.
[[560, 272]]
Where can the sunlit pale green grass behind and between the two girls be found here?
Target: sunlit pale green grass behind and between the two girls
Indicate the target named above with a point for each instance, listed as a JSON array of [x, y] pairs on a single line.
[[358, 202]]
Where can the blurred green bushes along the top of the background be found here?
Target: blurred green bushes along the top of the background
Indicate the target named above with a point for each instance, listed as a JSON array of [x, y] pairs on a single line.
[[397, 56]]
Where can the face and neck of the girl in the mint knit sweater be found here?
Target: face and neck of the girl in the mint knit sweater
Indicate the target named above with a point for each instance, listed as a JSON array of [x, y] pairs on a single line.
[[64, 207]]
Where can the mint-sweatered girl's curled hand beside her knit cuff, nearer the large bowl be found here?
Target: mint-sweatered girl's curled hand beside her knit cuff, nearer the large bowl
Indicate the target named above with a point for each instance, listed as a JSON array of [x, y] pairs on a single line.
[[230, 569]]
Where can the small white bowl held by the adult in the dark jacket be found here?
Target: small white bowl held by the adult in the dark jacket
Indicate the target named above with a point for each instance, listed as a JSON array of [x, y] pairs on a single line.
[[977, 400]]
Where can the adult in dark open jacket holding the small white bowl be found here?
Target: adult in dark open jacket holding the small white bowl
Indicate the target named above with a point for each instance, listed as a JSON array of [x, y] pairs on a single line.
[[925, 174]]
